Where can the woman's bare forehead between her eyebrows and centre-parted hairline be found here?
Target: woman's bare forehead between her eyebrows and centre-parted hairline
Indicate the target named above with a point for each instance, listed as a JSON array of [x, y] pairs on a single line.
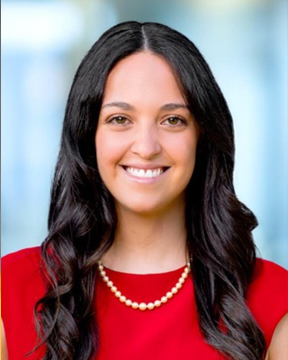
[[142, 77]]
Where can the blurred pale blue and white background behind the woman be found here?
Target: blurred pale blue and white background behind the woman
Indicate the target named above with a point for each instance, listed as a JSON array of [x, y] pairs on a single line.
[[43, 42]]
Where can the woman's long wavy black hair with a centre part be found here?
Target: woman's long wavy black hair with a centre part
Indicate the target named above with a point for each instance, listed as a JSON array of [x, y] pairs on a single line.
[[82, 217]]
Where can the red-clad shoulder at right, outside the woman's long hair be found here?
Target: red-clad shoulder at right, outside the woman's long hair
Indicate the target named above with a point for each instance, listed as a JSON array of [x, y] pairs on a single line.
[[267, 295]]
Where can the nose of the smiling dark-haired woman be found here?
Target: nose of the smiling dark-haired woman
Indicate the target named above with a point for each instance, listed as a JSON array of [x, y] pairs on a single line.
[[146, 143]]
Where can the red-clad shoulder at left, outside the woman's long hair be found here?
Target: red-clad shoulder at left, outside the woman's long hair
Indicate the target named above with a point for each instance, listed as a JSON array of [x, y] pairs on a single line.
[[23, 285]]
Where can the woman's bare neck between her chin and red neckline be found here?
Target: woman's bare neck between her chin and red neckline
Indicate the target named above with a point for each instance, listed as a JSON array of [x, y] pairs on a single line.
[[152, 243]]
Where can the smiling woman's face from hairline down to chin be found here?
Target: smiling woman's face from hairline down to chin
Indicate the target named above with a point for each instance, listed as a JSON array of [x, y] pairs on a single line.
[[146, 137]]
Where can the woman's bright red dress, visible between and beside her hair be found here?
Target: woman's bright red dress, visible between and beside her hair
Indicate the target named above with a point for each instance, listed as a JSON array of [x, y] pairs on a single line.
[[169, 332]]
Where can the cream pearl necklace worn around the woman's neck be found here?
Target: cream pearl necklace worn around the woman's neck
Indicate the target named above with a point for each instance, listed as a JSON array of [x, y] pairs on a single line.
[[143, 306]]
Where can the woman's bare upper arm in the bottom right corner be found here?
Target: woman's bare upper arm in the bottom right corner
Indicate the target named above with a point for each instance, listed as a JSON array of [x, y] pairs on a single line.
[[278, 349]]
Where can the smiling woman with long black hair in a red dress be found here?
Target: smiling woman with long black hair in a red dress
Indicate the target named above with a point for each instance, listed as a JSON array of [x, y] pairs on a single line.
[[149, 252]]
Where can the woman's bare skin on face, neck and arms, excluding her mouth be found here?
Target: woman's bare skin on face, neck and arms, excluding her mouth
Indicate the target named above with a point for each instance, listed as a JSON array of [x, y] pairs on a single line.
[[151, 213]]
